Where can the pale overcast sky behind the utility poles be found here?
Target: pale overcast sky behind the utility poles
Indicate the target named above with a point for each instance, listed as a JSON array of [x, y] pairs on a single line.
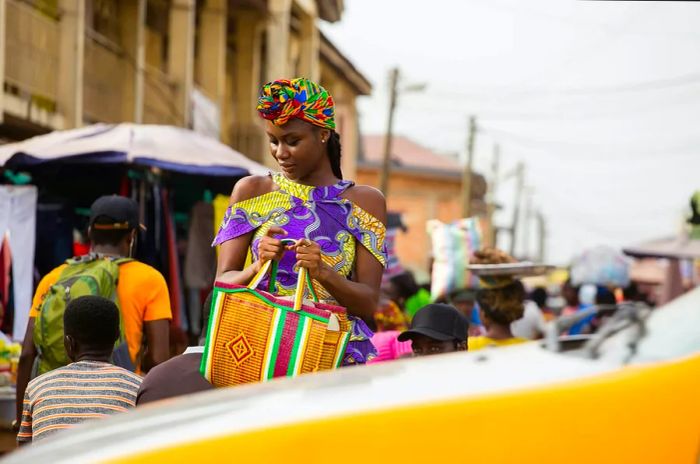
[[600, 100]]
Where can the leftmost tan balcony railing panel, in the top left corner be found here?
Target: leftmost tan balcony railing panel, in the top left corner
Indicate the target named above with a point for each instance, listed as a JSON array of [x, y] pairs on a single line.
[[31, 50]]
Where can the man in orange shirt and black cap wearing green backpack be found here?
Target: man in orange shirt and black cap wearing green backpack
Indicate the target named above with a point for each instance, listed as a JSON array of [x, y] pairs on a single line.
[[139, 290]]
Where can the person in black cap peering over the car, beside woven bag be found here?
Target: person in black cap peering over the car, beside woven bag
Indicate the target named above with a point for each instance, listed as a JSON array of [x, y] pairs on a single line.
[[437, 328]]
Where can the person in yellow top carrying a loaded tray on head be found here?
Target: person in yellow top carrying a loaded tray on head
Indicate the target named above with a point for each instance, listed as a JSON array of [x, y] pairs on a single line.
[[500, 300]]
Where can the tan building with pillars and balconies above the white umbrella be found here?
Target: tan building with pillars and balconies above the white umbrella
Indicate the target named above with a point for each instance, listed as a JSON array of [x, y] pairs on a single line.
[[191, 63]]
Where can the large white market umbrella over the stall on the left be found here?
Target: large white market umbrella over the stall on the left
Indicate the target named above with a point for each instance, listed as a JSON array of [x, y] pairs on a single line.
[[167, 147]]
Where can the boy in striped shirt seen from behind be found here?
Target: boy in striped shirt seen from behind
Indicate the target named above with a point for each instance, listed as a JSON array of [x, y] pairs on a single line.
[[88, 388]]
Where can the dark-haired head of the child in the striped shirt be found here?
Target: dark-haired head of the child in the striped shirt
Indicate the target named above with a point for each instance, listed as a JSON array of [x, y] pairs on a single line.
[[90, 325]]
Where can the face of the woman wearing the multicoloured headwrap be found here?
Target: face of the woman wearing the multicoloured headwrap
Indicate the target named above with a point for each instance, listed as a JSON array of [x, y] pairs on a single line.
[[298, 147]]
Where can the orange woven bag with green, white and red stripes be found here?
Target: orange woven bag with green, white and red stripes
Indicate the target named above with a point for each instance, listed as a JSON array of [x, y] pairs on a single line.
[[255, 336]]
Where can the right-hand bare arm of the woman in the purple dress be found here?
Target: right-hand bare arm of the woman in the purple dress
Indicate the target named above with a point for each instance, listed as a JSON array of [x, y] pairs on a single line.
[[360, 295]]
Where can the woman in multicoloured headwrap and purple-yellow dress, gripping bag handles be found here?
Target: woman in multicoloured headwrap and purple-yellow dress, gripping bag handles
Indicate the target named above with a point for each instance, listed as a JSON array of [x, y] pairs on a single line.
[[338, 227]]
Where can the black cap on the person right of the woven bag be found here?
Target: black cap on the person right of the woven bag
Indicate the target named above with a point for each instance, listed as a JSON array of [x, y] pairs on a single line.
[[438, 321]]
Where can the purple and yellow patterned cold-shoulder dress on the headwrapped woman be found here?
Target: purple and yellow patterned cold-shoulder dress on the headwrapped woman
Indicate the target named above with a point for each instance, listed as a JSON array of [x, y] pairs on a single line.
[[319, 214]]
